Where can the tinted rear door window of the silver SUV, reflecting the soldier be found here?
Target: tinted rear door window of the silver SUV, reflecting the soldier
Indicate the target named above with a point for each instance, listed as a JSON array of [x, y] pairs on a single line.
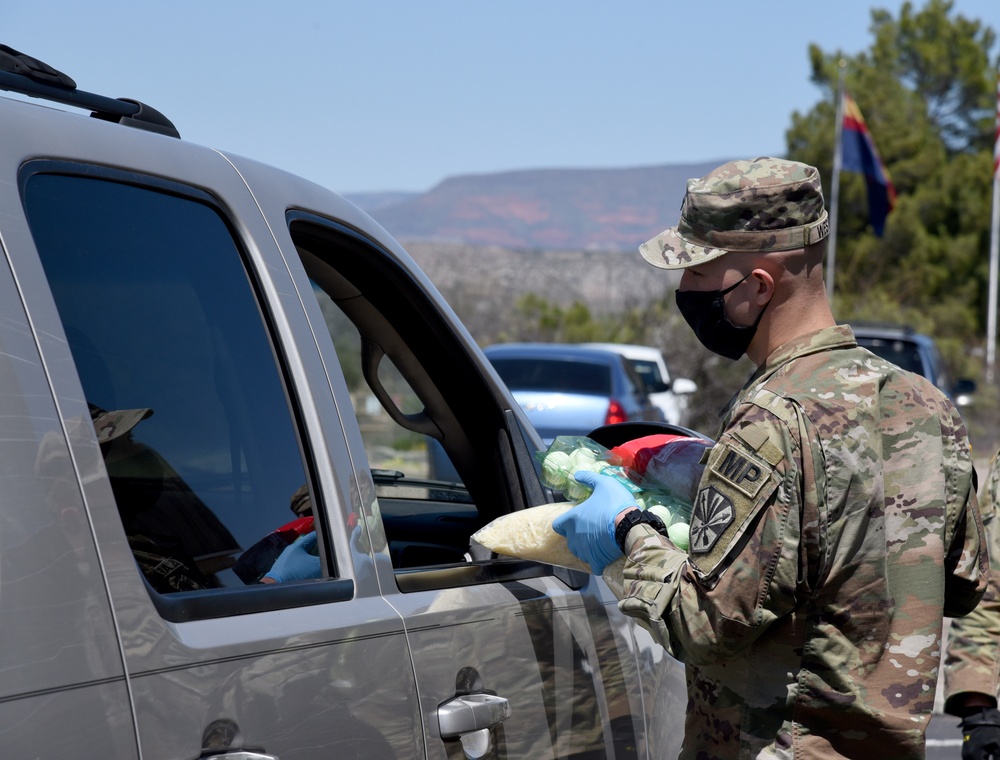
[[169, 341]]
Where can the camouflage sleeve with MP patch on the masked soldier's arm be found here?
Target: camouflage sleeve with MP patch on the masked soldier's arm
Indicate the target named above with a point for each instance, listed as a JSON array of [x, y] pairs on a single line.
[[743, 563]]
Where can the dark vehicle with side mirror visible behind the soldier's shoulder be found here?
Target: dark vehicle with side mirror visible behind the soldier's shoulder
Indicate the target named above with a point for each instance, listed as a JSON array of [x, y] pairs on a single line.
[[914, 352]]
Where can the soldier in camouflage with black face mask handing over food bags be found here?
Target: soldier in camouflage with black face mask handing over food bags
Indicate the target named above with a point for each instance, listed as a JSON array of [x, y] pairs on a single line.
[[836, 522]]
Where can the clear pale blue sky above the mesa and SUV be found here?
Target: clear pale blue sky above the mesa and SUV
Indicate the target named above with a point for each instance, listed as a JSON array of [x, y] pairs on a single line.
[[381, 95]]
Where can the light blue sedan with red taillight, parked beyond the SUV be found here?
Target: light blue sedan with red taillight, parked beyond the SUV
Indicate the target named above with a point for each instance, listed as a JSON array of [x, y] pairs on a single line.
[[570, 389]]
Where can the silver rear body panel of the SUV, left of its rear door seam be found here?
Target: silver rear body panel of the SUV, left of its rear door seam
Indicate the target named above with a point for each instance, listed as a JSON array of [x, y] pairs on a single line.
[[61, 664]]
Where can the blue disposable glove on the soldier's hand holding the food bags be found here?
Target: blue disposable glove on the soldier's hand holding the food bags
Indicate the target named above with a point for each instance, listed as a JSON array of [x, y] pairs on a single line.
[[589, 527]]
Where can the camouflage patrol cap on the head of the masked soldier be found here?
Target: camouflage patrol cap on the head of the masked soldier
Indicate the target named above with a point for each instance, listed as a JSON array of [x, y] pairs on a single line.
[[767, 204]]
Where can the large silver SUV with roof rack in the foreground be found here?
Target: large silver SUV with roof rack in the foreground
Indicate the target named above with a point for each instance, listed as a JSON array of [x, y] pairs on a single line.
[[174, 323]]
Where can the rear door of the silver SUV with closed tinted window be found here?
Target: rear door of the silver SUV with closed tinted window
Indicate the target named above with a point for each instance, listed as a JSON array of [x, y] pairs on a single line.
[[163, 294]]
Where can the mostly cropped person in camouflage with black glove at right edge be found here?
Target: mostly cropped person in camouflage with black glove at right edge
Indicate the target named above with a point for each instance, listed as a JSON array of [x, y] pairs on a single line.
[[972, 658]]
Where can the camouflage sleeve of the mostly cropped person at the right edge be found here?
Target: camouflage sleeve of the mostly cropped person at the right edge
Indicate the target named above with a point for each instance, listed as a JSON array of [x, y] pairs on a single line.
[[972, 657]]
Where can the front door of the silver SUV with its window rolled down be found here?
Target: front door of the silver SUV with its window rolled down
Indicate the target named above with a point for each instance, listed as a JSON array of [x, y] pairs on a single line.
[[538, 660]]
